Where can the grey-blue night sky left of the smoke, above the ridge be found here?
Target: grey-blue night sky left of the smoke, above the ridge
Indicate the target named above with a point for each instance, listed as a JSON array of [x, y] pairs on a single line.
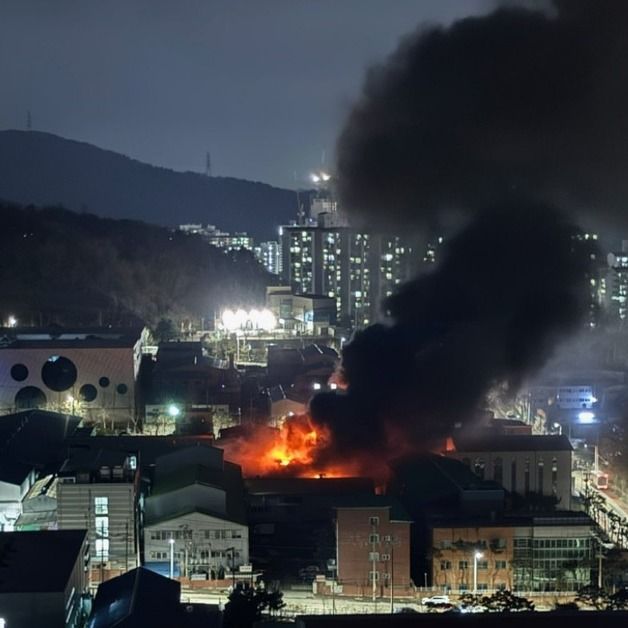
[[264, 85]]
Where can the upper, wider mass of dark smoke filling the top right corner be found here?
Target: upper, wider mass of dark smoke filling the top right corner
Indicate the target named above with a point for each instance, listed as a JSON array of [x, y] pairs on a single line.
[[516, 102]]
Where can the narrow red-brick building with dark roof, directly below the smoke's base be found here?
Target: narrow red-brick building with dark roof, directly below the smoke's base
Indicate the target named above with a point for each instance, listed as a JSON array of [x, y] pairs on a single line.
[[373, 547]]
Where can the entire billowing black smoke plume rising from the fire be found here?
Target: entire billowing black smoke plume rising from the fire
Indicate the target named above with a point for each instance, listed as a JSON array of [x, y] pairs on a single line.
[[518, 113]]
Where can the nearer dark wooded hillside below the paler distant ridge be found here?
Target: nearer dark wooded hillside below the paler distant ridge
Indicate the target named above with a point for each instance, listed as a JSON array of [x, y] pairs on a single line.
[[66, 268]]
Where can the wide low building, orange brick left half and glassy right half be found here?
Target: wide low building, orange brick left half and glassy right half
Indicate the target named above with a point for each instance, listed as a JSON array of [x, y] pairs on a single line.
[[519, 553]]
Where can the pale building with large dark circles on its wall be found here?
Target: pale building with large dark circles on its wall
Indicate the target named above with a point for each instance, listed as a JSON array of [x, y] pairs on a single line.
[[91, 372]]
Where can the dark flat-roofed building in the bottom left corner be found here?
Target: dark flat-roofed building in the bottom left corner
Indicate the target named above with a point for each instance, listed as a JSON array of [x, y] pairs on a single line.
[[43, 577]]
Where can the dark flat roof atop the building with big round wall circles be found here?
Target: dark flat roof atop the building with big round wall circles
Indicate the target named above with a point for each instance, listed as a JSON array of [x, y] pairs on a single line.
[[83, 338]]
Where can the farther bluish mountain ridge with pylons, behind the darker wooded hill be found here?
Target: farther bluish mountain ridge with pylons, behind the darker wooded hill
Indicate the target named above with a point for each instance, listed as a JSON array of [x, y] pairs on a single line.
[[45, 169]]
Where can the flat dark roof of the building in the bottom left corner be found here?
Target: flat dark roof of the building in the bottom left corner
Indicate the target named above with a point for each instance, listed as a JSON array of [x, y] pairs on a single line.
[[38, 562]]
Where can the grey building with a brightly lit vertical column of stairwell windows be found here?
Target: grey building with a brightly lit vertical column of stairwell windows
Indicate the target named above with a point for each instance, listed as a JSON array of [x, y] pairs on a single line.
[[98, 491]]
